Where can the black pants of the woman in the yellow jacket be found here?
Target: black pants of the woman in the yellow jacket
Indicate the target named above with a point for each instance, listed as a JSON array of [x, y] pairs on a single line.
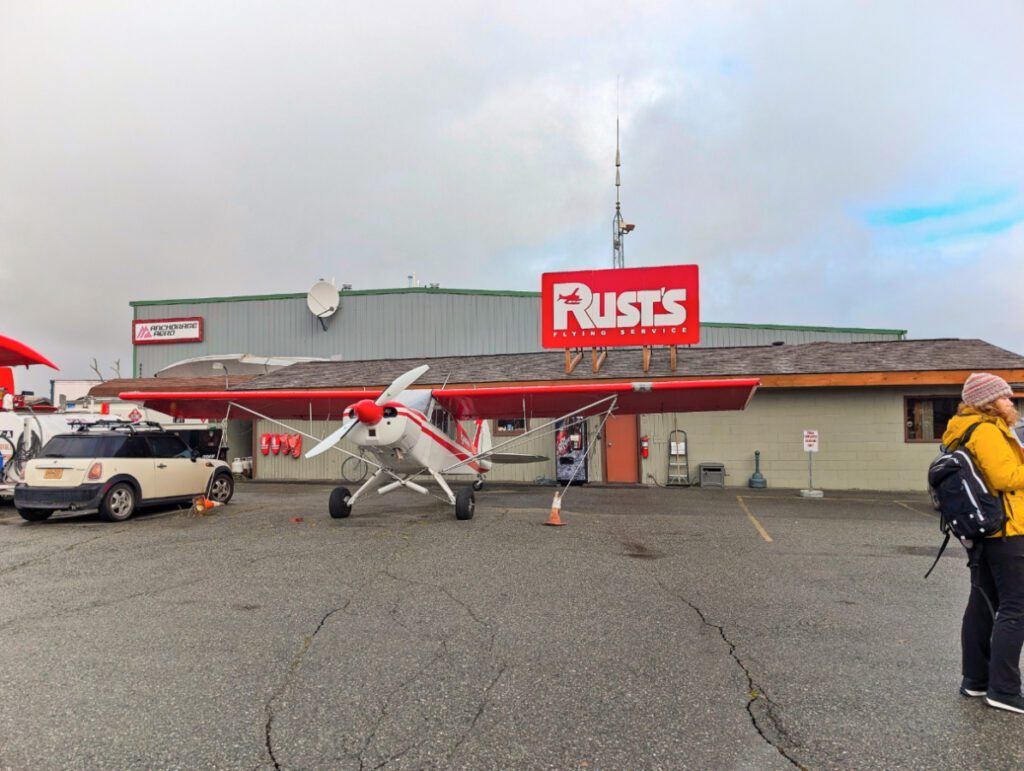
[[993, 647]]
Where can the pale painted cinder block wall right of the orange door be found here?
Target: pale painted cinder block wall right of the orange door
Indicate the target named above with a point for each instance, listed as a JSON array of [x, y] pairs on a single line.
[[861, 434]]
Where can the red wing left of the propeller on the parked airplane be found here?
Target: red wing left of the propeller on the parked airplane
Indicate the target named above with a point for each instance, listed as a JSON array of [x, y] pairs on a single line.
[[293, 405]]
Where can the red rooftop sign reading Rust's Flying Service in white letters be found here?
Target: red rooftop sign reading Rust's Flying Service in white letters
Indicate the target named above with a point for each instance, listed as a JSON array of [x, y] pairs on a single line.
[[625, 307]]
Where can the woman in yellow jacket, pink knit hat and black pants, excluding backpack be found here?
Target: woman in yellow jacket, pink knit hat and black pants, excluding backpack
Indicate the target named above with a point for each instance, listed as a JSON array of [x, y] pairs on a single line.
[[993, 633]]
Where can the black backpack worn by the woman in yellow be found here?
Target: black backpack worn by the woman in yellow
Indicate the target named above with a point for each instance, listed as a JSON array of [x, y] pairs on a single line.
[[967, 508]]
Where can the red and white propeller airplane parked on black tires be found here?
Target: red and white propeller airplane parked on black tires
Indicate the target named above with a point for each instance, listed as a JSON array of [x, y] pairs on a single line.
[[409, 434]]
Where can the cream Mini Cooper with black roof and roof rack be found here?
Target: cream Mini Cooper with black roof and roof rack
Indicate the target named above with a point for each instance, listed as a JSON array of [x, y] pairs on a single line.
[[116, 468]]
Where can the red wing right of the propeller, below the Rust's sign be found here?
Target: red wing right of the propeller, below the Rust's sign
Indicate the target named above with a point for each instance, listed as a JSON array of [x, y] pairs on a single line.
[[632, 399]]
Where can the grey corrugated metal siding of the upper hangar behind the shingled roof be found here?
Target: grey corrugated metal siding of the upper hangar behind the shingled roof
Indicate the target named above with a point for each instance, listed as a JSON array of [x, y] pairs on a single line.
[[404, 326]]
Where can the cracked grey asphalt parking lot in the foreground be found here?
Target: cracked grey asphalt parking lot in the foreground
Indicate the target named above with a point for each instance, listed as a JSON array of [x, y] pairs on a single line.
[[669, 629]]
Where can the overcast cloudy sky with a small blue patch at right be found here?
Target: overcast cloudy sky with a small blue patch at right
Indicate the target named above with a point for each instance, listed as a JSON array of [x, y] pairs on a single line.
[[839, 163]]
